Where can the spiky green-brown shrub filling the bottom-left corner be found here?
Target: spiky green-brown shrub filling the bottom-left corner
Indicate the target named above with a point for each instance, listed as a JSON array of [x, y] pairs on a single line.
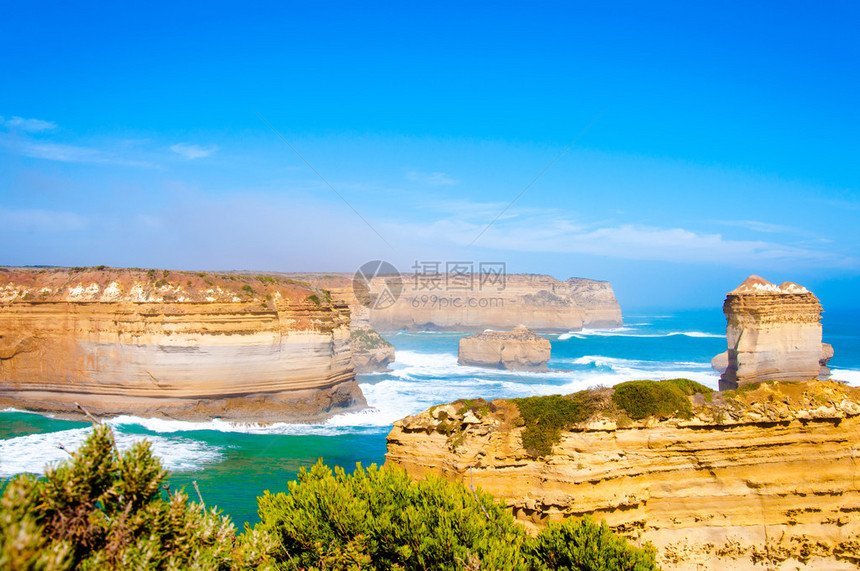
[[104, 510]]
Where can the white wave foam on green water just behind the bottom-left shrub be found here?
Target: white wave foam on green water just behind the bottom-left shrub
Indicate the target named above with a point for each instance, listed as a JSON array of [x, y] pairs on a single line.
[[33, 452]]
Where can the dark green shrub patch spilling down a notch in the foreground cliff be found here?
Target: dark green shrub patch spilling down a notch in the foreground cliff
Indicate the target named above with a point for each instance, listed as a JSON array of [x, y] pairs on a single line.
[[546, 417]]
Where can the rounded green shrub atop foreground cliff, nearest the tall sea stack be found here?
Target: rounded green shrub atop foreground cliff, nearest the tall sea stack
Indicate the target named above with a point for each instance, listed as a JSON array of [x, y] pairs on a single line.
[[662, 399]]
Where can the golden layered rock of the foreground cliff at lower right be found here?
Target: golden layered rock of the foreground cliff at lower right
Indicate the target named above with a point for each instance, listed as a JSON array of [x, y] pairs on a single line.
[[756, 477]]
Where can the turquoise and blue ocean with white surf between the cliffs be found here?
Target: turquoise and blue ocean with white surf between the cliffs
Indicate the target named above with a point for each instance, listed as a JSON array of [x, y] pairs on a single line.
[[233, 464]]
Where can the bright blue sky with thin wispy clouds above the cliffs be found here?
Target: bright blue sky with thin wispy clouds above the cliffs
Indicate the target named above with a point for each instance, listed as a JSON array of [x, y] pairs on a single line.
[[710, 141]]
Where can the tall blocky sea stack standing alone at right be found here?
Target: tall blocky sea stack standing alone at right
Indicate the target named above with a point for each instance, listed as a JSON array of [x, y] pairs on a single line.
[[773, 333]]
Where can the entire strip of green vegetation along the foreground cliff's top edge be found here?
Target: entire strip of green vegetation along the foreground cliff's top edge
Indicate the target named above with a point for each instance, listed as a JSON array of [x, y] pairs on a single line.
[[545, 418]]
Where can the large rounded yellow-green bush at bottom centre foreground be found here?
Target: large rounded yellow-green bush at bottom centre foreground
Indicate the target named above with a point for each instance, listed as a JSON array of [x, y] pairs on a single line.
[[382, 519]]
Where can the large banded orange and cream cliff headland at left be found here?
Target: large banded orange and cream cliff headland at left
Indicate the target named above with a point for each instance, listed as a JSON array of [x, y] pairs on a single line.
[[179, 344]]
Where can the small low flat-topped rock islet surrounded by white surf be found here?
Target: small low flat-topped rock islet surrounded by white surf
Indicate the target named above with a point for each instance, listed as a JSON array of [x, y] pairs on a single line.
[[518, 349]]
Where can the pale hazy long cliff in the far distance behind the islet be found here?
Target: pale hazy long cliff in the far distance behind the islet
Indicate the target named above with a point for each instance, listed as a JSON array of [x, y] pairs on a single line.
[[541, 303]]
